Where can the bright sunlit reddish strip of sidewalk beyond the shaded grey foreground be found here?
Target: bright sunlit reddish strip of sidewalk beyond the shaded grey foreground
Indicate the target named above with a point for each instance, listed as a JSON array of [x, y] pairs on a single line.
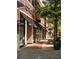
[[38, 45]]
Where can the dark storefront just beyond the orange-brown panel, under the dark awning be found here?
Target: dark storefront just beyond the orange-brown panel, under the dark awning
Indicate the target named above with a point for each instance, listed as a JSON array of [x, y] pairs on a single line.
[[38, 33]]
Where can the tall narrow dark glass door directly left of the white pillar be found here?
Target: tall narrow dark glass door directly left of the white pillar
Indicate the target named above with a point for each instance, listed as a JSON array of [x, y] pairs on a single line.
[[22, 31]]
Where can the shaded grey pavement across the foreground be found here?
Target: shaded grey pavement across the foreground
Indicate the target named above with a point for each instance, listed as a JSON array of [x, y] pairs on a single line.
[[38, 53]]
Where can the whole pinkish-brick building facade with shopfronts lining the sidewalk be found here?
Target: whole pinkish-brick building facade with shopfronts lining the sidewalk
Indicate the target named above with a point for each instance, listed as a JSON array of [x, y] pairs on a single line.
[[30, 29]]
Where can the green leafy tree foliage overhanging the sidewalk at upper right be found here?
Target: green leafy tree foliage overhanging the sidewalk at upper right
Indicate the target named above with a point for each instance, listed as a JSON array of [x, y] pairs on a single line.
[[51, 9]]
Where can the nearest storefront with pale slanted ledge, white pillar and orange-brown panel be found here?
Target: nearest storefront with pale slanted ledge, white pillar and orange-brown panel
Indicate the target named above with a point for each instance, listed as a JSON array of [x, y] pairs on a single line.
[[24, 28]]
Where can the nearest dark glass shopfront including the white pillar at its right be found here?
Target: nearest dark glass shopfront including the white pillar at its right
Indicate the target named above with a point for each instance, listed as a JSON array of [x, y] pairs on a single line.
[[21, 29]]
